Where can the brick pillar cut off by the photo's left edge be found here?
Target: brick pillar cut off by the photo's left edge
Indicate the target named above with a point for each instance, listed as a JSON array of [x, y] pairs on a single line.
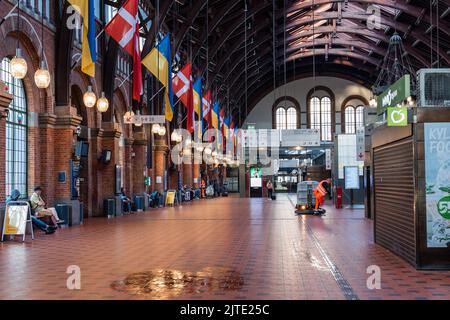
[[5, 100]]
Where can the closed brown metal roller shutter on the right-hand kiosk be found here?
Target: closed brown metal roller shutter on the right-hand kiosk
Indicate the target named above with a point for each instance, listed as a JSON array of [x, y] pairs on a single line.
[[394, 198]]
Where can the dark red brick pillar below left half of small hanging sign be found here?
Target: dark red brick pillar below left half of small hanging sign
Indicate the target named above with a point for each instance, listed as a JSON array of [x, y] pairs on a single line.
[[139, 162]]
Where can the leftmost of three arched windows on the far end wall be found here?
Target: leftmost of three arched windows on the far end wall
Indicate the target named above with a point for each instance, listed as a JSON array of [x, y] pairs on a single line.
[[286, 114]]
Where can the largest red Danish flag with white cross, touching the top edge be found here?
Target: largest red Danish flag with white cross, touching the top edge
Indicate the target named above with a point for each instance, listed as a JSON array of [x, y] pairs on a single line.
[[124, 28]]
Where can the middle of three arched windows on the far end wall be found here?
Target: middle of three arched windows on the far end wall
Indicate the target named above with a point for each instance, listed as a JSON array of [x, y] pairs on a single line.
[[320, 115]]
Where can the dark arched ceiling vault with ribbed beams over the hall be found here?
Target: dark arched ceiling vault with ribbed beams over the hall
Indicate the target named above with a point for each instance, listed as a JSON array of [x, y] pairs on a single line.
[[331, 34]]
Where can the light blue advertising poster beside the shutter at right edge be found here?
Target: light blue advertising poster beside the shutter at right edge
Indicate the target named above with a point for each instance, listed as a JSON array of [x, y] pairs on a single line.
[[437, 179]]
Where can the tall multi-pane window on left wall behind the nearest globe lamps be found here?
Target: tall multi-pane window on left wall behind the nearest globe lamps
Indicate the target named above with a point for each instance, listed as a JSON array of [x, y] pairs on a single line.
[[16, 133]]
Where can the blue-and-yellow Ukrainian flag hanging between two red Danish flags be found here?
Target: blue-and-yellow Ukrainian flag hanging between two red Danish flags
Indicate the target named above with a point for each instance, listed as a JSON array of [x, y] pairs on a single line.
[[159, 62]]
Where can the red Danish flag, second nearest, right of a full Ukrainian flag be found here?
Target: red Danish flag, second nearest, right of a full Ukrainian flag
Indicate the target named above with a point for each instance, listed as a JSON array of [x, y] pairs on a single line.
[[182, 86]]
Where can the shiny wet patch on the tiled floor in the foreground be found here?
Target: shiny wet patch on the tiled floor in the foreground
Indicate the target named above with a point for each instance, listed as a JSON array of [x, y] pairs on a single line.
[[167, 284]]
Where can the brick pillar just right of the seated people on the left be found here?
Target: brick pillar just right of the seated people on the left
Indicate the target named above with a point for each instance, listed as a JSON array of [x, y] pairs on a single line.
[[64, 139]]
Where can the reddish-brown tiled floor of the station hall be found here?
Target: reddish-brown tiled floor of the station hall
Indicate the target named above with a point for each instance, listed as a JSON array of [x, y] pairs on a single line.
[[228, 248]]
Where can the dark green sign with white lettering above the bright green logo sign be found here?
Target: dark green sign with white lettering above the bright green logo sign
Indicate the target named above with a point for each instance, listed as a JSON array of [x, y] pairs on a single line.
[[395, 94]]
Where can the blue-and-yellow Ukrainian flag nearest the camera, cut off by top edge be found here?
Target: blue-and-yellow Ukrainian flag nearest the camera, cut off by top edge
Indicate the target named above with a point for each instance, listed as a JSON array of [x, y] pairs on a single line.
[[86, 10]]
